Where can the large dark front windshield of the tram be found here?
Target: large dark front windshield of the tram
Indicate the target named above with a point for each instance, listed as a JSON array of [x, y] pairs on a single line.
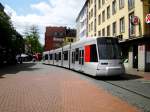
[[108, 48]]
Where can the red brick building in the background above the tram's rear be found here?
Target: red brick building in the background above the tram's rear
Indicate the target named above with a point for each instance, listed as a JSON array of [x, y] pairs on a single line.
[[56, 37]]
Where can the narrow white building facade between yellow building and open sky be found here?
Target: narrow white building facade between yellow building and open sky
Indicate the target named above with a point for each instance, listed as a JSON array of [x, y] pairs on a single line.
[[81, 22]]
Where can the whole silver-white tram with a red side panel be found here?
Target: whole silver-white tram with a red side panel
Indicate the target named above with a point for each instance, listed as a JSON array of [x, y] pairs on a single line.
[[94, 56]]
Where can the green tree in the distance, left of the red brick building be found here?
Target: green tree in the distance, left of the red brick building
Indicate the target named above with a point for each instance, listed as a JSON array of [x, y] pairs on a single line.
[[32, 40]]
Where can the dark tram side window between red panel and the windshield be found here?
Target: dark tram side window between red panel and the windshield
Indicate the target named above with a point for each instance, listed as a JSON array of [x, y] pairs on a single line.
[[93, 53]]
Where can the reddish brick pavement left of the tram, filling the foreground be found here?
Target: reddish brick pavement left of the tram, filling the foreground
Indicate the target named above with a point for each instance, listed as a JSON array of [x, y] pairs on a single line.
[[41, 88]]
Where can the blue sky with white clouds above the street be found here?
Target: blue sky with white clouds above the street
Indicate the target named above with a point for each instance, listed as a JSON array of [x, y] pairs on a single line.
[[42, 13]]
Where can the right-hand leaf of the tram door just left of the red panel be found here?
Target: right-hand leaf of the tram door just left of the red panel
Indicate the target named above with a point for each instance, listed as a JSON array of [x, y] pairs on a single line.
[[81, 59]]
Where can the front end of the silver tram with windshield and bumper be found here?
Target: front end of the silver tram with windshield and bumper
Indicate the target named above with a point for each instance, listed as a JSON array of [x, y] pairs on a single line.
[[109, 53]]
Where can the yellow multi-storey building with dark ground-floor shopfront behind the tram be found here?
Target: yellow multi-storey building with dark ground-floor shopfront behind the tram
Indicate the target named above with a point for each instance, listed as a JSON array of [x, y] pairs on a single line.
[[129, 20]]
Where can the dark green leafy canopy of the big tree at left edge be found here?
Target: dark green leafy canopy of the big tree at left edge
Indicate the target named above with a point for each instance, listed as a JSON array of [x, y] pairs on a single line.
[[9, 37]]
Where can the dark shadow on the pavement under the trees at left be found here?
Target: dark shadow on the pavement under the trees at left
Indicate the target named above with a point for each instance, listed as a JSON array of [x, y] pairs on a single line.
[[17, 68]]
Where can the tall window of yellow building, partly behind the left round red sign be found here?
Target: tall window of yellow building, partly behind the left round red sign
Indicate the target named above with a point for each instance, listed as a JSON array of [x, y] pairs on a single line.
[[131, 26]]
